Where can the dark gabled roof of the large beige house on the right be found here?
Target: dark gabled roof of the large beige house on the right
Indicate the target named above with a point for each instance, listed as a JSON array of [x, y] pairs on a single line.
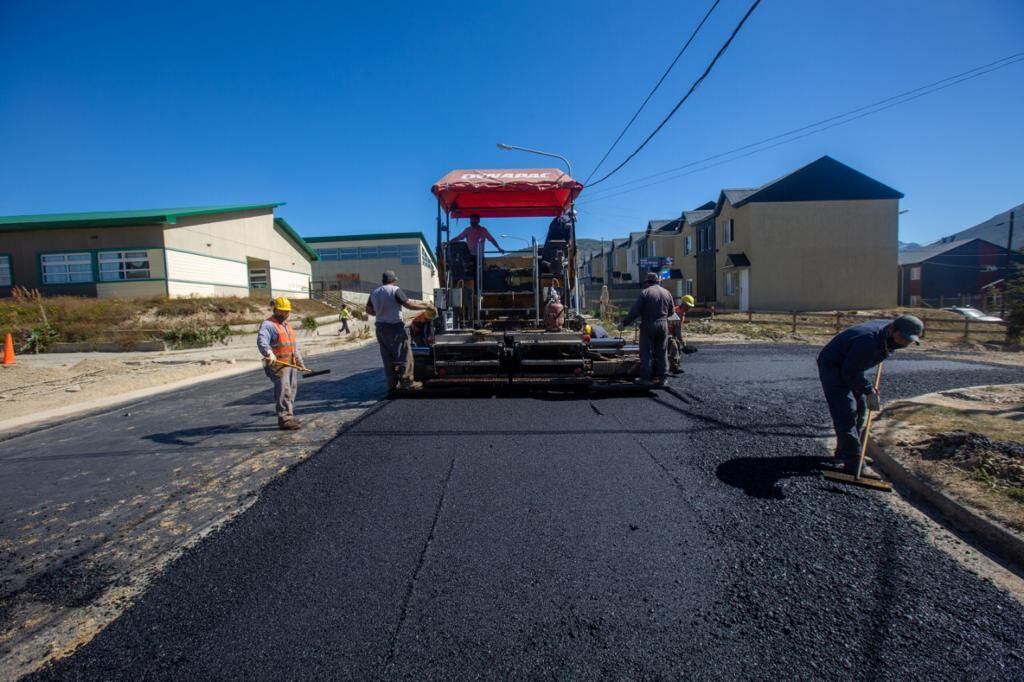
[[824, 180]]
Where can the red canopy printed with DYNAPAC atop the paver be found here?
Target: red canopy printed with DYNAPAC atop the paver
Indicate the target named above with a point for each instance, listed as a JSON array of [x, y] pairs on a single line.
[[518, 193]]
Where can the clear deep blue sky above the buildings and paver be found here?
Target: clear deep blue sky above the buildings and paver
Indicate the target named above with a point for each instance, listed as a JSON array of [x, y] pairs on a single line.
[[350, 112]]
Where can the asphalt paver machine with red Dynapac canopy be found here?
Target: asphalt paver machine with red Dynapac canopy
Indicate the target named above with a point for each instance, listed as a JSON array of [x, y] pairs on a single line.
[[515, 318]]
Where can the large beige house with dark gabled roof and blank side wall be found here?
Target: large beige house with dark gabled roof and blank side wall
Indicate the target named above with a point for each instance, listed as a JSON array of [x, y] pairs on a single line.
[[822, 238]]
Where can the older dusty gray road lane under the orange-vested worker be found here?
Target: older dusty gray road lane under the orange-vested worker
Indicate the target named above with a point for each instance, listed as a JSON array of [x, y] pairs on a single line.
[[89, 505]]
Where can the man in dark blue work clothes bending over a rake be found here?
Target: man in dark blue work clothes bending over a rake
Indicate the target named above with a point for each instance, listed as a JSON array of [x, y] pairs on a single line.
[[850, 395]]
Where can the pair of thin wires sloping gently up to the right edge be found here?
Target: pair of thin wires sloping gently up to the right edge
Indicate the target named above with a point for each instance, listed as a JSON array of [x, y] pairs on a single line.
[[814, 129]]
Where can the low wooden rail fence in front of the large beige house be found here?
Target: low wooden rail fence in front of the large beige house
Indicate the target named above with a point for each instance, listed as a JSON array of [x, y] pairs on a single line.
[[834, 323]]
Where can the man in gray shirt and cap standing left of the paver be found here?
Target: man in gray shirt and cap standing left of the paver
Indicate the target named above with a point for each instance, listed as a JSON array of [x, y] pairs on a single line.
[[387, 304]]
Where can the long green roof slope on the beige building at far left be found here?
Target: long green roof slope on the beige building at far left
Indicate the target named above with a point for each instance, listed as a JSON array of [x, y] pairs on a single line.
[[119, 219]]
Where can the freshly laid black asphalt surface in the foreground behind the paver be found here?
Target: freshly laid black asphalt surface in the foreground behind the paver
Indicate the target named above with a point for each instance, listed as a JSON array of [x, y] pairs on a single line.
[[537, 537]]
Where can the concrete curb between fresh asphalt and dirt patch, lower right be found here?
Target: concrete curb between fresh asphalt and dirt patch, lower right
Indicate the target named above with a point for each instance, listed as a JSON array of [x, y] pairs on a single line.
[[993, 536]]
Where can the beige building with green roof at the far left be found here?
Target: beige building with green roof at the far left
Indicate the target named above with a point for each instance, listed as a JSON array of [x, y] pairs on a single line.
[[234, 250]]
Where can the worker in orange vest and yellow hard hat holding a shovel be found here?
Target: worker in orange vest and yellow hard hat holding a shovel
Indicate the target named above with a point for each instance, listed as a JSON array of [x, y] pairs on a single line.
[[282, 362]]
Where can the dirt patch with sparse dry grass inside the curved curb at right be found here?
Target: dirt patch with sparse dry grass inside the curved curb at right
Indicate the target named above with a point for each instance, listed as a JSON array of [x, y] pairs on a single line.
[[968, 442]]
